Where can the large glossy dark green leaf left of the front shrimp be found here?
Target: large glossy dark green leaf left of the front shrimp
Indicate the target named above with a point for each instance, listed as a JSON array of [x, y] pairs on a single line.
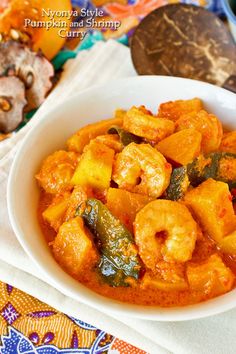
[[119, 256]]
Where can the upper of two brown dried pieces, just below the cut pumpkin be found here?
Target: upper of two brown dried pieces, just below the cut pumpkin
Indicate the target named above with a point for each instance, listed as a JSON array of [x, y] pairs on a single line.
[[33, 69]]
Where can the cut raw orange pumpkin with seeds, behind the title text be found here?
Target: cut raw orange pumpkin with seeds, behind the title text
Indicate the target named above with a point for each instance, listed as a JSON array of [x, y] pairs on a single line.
[[13, 14]]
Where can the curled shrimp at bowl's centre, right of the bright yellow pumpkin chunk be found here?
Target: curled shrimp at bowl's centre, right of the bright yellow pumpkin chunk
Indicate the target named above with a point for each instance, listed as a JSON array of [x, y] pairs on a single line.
[[142, 169]]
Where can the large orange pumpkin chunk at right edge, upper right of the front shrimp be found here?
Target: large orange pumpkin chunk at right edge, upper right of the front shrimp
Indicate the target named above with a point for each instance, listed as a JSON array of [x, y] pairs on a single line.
[[211, 204]]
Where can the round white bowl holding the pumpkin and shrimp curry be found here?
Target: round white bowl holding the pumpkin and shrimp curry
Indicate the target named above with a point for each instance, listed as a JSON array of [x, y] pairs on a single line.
[[51, 133]]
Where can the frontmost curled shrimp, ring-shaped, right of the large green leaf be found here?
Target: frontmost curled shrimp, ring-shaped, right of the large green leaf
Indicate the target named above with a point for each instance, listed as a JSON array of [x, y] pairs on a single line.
[[165, 230]]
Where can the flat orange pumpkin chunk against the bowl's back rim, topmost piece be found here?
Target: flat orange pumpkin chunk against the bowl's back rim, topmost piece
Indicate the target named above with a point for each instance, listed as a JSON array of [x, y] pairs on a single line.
[[174, 109]]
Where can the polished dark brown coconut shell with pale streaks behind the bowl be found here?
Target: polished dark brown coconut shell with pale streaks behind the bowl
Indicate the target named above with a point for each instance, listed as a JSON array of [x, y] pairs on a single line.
[[184, 40]]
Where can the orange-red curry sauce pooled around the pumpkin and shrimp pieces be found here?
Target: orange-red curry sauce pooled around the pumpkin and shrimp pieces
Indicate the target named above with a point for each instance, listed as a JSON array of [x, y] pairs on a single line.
[[137, 295]]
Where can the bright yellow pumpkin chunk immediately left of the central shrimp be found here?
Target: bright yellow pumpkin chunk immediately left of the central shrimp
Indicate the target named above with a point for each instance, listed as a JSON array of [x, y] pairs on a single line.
[[95, 167]]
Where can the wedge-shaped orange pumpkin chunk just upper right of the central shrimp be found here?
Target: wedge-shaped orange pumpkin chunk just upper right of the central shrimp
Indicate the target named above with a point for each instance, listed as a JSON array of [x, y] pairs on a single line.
[[181, 147]]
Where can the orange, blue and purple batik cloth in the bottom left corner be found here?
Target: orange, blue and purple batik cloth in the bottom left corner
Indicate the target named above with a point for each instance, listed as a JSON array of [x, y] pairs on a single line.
[[28, 326]]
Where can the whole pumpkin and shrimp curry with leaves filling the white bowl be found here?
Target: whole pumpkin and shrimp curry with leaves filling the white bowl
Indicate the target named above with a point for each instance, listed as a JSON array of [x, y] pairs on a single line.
[[140, 207]]
